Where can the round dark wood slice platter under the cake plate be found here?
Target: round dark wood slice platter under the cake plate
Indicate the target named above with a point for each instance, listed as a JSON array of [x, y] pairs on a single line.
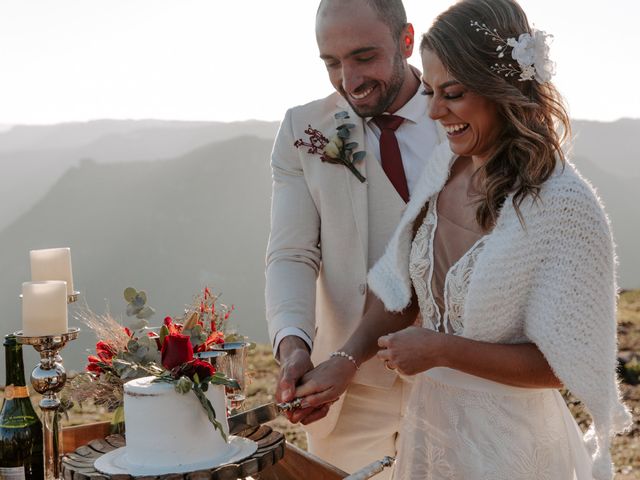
[[78, 465]]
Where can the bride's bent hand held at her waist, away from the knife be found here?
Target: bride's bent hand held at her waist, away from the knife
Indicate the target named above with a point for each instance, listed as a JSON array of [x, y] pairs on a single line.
[[412, 350]]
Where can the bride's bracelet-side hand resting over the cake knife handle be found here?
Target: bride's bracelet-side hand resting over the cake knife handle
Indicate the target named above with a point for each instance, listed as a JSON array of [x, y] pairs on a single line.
[[325, 383]]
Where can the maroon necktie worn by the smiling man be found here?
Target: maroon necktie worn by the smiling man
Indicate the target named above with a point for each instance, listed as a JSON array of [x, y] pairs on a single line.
[[390, 153]]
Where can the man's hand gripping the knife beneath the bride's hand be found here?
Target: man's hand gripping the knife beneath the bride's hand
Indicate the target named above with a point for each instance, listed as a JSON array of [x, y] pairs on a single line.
[[295, 362]]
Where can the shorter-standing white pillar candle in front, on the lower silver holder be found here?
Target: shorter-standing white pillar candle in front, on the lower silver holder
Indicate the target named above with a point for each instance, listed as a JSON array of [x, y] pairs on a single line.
[[44, 308]]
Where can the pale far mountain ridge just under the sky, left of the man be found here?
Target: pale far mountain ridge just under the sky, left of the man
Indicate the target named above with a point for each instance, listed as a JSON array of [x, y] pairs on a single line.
[[32, 158]]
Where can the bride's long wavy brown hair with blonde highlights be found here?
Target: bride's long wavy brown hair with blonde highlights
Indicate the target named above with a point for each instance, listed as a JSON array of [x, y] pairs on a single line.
[[535, 120]]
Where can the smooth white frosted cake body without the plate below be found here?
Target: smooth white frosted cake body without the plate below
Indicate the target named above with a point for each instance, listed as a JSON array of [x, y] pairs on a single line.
[[166, 428]]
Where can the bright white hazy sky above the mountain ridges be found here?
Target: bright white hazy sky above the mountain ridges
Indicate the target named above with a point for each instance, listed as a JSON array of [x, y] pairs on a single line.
[[75, 60]]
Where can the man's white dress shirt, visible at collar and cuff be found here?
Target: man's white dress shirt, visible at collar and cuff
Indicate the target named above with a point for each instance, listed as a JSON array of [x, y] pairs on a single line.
[[417, 136]]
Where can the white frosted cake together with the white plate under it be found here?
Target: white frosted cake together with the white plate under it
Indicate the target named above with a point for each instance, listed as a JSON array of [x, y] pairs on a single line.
[[169, 432]]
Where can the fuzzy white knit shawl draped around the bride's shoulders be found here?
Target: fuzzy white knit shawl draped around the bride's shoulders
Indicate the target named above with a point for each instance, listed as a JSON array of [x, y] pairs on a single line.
[[552, 282]]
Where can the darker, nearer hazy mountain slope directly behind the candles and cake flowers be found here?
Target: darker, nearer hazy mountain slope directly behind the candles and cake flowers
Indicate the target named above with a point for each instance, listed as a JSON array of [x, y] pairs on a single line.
[[168, 227]]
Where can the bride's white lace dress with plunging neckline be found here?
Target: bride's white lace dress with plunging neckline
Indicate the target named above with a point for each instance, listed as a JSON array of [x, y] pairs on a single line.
[[460, 426]]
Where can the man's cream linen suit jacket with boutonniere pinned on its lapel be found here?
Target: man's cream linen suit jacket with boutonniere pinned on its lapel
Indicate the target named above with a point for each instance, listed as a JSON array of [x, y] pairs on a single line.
[[316, 262]]
